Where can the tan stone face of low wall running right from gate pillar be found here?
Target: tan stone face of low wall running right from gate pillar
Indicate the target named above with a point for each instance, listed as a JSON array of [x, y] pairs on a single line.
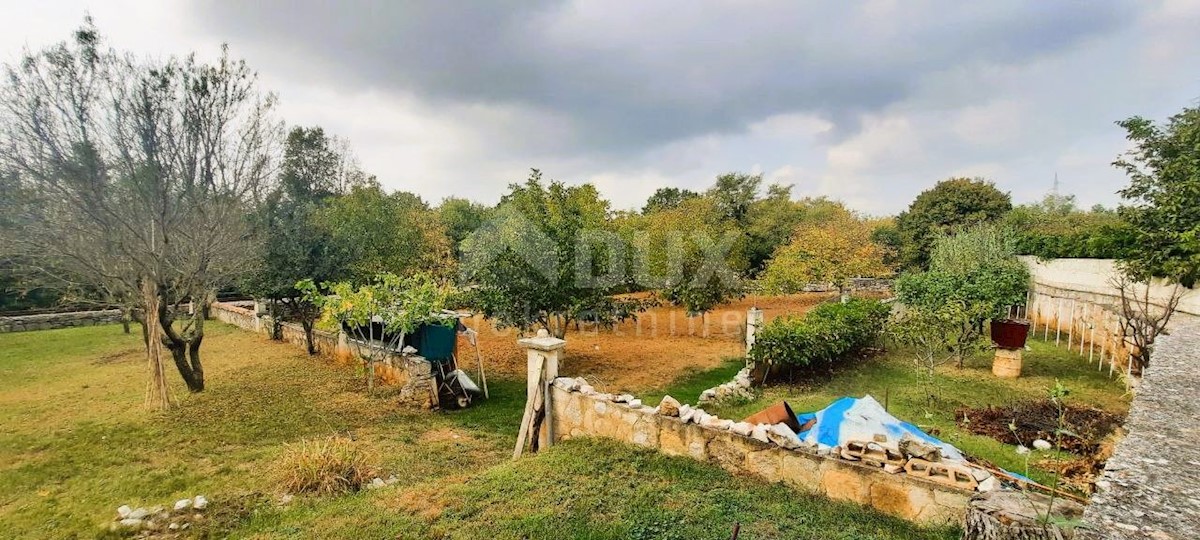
[[581, 412]]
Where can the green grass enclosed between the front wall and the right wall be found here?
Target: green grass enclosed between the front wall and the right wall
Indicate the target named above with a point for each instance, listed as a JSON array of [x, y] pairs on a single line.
[[892, 379]]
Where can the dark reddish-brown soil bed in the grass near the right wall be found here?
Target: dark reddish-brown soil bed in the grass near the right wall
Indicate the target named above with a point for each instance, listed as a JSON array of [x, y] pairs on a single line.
[[1039, 421]]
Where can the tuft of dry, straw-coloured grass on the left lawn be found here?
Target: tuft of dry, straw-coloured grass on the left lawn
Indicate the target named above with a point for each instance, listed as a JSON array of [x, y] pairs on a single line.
[[325, 466]]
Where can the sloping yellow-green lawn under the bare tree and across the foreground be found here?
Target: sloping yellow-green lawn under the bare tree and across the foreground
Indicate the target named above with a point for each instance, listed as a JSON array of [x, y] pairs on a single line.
[[76, 443]]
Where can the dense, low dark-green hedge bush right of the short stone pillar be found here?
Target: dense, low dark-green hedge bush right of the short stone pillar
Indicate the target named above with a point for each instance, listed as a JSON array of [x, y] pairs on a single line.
[[823, 337]]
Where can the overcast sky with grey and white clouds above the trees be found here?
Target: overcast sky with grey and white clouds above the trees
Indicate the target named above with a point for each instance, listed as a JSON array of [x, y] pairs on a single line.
[[869, 103]]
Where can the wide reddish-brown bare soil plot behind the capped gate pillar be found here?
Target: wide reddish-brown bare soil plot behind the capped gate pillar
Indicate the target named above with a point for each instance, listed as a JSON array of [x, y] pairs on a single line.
[[643, 355]]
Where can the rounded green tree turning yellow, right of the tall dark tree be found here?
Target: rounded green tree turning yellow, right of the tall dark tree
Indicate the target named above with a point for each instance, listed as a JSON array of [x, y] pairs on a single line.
[[383, 233]]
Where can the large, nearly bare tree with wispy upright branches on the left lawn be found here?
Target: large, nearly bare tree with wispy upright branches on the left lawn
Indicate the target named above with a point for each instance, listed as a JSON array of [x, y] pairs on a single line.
[[140, 175]]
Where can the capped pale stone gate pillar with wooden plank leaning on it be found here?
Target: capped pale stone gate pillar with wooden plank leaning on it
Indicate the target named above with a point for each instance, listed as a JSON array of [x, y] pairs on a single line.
[[542, 362]]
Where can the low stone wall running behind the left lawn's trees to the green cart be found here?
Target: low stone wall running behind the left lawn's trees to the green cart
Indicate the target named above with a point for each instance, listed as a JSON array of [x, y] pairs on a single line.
[[413, 375]]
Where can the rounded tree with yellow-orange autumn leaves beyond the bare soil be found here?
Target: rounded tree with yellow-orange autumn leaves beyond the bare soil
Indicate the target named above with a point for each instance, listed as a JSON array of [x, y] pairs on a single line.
[[833, 251]]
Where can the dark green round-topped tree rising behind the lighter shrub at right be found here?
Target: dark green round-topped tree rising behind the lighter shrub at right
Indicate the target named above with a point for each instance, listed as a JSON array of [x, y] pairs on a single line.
[[947, 207]]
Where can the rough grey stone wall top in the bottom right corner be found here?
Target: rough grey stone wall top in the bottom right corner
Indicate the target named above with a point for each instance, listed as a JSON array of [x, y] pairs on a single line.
[[1150, 485]]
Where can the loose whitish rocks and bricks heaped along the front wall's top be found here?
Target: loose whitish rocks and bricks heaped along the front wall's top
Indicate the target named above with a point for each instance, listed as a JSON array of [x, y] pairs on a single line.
[[908, 454]]
